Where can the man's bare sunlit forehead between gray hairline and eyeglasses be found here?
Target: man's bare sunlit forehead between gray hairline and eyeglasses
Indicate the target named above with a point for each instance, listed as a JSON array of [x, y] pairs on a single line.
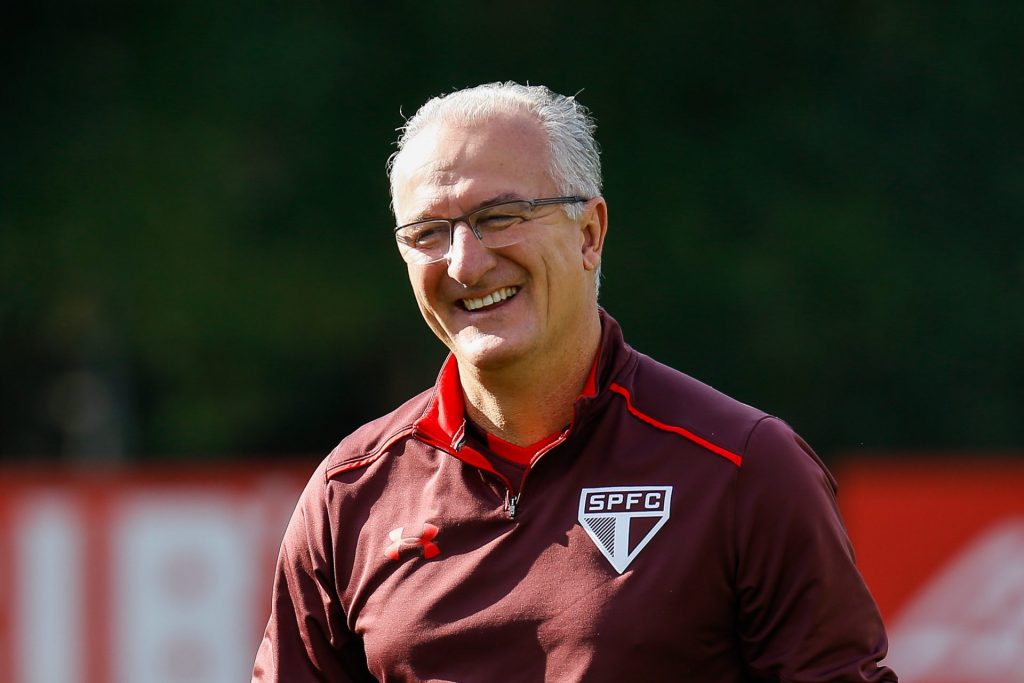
[[451, 168]]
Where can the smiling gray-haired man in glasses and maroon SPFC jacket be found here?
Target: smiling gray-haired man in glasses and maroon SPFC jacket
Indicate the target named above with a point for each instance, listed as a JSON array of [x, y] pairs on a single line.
[[559, 507]]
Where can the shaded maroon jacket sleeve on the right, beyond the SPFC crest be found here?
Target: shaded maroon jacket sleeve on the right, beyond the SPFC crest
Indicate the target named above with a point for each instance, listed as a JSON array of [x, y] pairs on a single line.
[[804, 612]]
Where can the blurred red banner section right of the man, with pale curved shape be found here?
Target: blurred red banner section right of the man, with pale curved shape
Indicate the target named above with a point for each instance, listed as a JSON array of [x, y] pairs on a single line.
[[941, 542]]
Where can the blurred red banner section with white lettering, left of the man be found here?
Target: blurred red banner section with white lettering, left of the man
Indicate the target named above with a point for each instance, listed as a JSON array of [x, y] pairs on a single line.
[[145, 578]]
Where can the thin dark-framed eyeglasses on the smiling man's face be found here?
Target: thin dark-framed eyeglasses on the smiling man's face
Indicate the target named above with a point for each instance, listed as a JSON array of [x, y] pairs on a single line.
[[495, 226]]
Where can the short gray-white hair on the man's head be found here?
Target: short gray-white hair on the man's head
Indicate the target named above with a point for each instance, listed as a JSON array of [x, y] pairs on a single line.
[[575, 155]]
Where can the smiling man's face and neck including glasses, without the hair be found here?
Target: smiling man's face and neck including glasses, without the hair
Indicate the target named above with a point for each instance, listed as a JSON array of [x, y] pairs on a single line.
[[523, 319]]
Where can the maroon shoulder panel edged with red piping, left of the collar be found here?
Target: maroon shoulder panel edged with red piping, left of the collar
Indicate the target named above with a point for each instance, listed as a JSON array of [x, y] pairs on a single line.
[[372, 440]]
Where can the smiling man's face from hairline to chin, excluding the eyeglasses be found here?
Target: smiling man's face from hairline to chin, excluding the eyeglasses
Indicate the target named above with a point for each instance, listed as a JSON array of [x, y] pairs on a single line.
[[498, 308]]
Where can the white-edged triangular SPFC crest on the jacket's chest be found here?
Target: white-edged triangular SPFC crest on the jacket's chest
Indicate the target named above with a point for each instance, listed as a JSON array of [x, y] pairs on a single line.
[[622, 521]]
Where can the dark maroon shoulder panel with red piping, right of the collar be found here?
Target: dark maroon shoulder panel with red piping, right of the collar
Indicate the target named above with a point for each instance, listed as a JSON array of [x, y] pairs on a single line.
[[658, 394]]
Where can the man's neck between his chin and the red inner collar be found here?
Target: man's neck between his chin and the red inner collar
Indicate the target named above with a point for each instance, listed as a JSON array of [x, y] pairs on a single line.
[[528, 402]]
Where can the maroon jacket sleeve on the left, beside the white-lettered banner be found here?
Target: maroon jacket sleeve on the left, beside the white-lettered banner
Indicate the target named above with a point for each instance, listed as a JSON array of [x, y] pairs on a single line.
[[308, 638]]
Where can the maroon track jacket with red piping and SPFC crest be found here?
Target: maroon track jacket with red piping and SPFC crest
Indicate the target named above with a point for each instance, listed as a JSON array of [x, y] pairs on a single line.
[[671, 534]]
